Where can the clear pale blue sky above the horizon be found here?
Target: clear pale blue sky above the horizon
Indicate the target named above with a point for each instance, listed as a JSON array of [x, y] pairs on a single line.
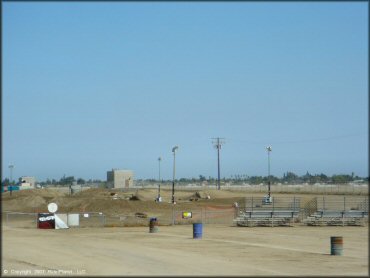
[[92, 86]]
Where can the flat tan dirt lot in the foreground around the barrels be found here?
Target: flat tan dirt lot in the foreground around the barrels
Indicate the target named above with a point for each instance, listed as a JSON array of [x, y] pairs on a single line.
[[297, 251]]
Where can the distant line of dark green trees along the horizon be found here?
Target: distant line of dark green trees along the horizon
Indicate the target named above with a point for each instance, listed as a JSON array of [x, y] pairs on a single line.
[[288, 178]]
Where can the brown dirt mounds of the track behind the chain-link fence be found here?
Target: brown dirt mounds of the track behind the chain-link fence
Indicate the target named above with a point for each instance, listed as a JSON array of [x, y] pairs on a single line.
[[101, 200]]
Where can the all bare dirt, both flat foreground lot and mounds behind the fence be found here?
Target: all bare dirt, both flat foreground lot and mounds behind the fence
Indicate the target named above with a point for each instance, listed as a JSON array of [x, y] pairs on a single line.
[[223, 250]]
